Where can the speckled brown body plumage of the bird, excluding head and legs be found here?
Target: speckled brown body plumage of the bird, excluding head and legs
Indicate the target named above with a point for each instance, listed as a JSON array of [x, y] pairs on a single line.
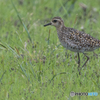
[[77, 41]]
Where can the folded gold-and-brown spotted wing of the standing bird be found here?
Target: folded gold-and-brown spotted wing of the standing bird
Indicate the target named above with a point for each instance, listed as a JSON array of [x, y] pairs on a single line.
[[81, 39]]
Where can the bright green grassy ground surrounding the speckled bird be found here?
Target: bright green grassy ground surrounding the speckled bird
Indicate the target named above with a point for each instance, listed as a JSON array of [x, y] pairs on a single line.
[[33, 66]]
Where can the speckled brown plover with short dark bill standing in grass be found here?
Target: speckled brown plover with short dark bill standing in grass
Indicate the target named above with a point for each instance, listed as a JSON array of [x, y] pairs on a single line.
[[74, 40]]
